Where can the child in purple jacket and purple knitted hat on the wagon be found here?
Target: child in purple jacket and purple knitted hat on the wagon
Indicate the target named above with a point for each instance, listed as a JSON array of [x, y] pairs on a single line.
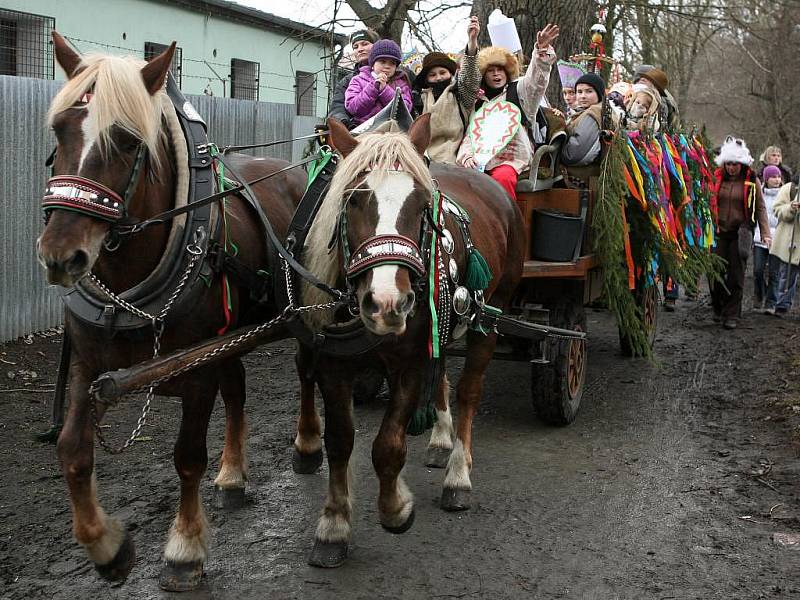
[[374, 86]]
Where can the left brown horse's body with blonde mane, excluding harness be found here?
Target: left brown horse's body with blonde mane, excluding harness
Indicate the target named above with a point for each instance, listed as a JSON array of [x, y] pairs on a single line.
[[108, 108]]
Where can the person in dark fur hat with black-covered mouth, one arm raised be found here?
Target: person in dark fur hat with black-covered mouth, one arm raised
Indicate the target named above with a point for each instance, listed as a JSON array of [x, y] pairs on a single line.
[[448, 97]]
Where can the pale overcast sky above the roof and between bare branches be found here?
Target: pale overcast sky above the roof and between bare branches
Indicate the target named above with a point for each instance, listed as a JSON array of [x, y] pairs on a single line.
[[450, 29]]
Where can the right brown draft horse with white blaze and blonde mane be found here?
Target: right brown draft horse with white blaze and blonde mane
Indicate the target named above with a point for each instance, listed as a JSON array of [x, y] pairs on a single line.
[[382, 187]]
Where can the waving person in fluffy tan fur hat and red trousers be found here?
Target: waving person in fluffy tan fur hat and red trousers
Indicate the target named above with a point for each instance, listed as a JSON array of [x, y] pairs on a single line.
[[500, 70]]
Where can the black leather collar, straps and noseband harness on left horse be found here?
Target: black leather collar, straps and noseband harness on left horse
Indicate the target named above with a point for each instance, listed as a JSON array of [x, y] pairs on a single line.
[[133, 310]]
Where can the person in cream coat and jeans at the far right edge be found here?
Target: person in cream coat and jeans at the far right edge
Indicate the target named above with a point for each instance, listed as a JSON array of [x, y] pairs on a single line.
[[784, 252]]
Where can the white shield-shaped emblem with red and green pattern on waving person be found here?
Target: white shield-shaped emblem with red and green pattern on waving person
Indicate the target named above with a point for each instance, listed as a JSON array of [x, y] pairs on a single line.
[[491, 128]]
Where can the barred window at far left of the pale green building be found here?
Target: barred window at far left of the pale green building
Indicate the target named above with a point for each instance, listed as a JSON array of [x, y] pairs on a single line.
[[25, 48]]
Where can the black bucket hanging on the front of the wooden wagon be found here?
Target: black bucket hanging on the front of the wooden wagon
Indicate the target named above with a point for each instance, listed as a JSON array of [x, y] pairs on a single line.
[[555, 237]]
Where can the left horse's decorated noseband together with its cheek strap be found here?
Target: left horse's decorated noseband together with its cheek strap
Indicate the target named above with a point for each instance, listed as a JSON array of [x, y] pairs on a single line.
[[89, 197]]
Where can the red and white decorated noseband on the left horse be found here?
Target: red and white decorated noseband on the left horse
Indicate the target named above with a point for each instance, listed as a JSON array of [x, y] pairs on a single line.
[[75, 193]]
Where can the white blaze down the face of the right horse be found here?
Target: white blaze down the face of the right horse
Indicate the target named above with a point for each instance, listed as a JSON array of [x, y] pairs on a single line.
[[392, 189]]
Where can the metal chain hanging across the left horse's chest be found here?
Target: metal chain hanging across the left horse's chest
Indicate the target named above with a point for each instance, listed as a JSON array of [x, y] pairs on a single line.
[[157, 321]]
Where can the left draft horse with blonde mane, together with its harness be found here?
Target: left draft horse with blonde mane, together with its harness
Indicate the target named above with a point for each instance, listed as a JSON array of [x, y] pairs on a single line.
[[122, 154]]
